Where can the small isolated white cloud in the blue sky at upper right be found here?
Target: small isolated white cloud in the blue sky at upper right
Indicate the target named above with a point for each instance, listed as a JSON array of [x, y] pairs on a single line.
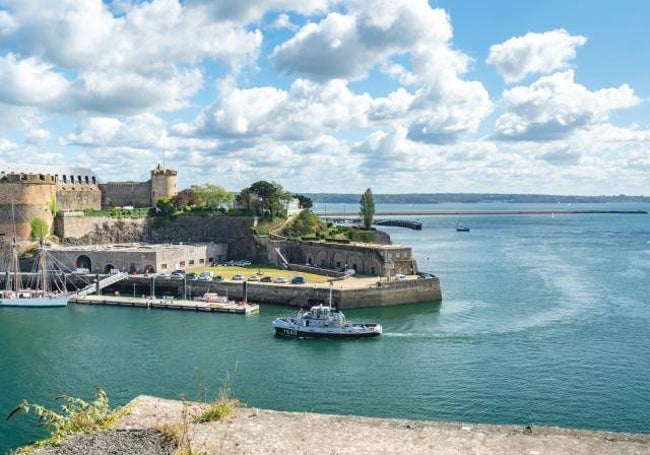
[[543, 53]]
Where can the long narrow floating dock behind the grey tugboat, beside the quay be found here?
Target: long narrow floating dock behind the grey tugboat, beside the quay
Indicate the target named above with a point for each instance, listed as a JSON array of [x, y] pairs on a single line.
[[168, 304]]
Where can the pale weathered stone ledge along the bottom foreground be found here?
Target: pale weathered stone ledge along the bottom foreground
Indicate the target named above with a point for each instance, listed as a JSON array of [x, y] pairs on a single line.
[[254, 431]]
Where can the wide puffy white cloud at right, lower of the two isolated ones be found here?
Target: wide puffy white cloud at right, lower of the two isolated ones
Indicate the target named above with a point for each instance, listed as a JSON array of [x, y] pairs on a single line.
[[555, 106]]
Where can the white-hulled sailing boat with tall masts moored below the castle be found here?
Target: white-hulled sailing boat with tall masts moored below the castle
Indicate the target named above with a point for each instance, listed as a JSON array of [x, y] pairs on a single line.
[[43, 294]]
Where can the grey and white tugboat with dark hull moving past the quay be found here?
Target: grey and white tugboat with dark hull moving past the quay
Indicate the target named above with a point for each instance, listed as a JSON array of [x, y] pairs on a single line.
[[324, 322]]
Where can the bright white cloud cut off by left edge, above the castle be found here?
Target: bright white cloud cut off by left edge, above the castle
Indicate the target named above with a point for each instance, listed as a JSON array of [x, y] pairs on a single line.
[[29, 81]]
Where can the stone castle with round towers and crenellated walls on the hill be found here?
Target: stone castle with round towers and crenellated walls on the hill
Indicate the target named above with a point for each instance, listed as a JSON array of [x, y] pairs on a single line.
[[40, 191]]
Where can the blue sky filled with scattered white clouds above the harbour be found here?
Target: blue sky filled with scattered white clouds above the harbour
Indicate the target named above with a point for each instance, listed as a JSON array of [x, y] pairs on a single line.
[[400, 96]]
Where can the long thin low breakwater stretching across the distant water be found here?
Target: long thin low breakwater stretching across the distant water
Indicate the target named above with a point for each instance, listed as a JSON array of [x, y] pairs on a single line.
[[485, 212]]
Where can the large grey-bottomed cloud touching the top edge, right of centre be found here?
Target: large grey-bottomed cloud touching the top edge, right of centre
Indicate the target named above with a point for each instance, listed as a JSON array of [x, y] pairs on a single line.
[[348, 45]]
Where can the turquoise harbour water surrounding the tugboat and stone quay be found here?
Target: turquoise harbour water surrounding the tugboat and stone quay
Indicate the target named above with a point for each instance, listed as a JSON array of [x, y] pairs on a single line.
[[545, 320]]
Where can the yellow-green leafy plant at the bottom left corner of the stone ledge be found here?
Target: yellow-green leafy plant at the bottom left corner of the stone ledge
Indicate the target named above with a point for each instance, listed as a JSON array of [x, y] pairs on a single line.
[[77, 416]]
